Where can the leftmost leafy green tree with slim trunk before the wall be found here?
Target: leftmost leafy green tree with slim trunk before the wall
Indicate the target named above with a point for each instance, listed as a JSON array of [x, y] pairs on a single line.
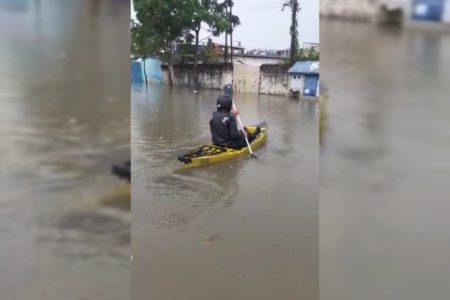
[[164, 22]]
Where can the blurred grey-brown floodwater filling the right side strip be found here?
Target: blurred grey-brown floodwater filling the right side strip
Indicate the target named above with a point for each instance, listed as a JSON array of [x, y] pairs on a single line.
[[384, 209]]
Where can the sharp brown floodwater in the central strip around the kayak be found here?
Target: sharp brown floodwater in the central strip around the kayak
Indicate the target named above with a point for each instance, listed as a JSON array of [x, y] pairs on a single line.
[[242, 229]]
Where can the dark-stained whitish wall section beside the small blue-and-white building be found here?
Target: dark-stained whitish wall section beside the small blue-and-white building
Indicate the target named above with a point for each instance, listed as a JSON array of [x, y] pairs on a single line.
[[273, 80]]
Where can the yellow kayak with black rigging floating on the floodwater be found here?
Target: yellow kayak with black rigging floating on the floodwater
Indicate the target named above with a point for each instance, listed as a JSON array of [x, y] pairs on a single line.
[[210, 154]]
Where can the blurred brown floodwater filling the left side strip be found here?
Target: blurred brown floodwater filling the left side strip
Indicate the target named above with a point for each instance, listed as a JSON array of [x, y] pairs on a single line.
[[64, 115]]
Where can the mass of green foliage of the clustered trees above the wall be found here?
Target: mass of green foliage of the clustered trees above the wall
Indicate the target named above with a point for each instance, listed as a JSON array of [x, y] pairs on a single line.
[[163, 24]]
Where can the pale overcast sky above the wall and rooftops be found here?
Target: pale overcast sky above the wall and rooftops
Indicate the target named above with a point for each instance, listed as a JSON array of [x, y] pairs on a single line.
[[264, 25]]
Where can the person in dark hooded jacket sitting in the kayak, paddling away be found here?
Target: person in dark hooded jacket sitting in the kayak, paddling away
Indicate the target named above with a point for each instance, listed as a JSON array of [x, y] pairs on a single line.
[[223, 125]]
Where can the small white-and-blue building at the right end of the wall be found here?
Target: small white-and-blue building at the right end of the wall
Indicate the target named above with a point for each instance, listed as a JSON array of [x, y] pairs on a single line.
[[304, 78]]
